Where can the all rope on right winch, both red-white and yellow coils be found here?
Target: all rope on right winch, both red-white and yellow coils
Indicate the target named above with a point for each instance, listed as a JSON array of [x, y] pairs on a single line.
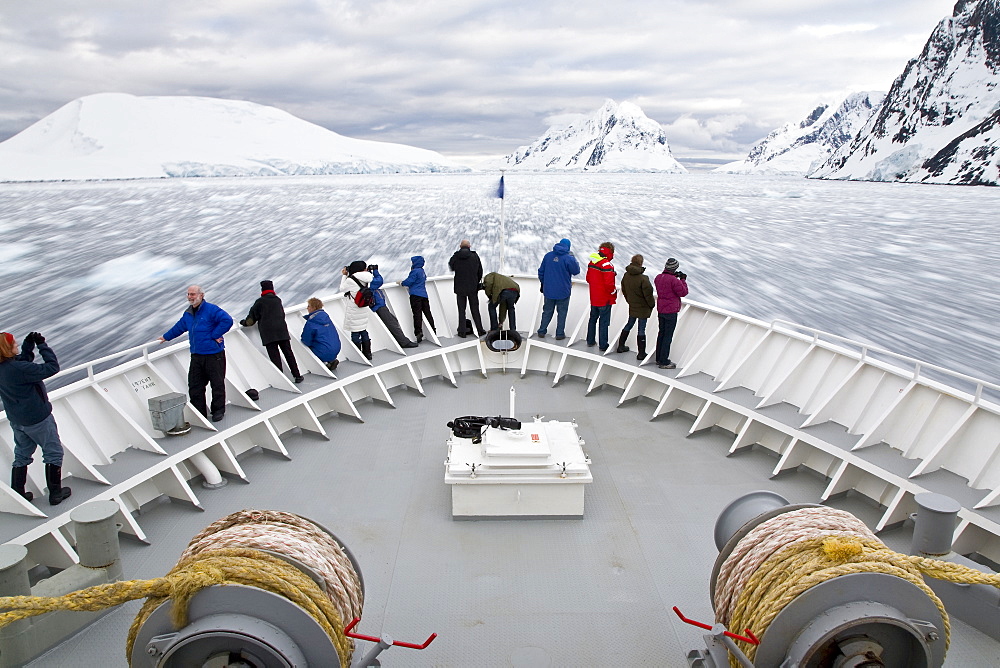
[[782, 557]]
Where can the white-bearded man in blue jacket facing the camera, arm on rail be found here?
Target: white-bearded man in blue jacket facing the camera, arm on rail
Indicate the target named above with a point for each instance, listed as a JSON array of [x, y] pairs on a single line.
[[205, 324]]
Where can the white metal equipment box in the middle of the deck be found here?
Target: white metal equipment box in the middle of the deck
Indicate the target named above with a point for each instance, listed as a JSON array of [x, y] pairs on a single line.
[[538, 471]]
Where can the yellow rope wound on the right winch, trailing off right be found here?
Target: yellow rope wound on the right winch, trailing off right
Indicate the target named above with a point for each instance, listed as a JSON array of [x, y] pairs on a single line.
[[807, 563]]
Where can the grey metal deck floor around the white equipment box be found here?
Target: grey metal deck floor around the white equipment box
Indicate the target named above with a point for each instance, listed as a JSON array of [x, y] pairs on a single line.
[[595, 591]]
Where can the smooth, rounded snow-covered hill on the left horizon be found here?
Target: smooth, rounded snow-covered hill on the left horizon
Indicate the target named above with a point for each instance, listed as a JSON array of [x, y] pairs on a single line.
[[119, 136]]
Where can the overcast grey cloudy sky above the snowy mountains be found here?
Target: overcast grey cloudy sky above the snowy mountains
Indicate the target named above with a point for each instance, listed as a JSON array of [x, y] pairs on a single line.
[[472, 79]]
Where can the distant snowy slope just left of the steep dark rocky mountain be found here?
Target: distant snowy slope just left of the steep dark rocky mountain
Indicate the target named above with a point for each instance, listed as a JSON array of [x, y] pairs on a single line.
[[796, 148]]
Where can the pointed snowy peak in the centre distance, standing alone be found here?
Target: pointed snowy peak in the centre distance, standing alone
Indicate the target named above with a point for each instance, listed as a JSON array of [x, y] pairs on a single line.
[[615, 138]]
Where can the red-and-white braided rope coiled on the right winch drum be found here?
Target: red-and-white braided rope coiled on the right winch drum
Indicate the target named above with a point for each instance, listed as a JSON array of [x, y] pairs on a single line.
[[767, 538]]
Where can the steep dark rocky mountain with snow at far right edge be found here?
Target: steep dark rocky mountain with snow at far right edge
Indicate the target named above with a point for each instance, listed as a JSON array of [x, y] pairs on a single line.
[[940, 122]]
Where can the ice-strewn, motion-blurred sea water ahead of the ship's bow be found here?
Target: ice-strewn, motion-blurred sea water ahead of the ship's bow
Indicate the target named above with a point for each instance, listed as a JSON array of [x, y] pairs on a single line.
[[102, 266]]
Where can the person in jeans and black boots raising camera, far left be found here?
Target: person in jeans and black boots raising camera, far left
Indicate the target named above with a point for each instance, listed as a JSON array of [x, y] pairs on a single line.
[[29, 412]]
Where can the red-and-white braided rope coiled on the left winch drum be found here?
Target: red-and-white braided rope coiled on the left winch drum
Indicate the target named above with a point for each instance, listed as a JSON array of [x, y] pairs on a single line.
[[293, 536]]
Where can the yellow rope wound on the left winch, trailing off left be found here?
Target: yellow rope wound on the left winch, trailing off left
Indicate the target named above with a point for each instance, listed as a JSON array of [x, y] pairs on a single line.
[[216, 567]]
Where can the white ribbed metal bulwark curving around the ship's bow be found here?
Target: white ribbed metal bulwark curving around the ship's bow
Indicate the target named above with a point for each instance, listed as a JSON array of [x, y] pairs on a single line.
[[814, 404]]
